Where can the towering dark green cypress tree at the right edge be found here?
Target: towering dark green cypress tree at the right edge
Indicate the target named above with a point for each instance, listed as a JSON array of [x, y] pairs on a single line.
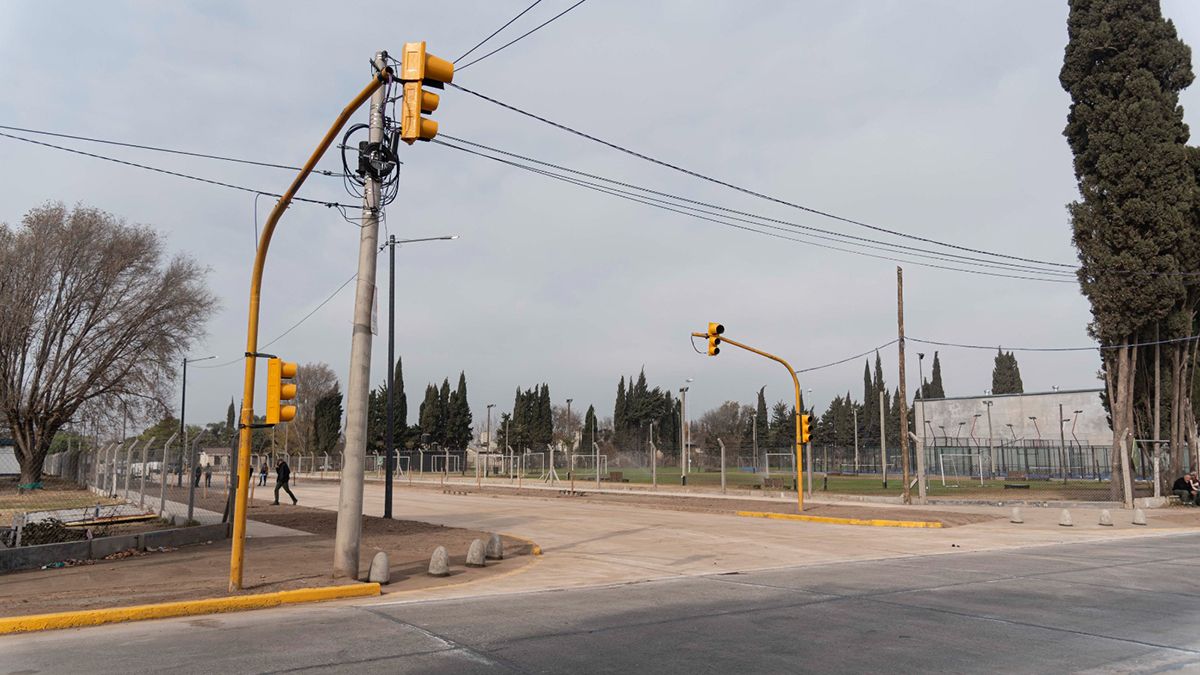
[[1125, 68]]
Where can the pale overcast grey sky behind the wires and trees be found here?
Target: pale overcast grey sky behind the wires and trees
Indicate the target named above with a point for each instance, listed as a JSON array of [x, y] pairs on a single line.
[[940, 120]]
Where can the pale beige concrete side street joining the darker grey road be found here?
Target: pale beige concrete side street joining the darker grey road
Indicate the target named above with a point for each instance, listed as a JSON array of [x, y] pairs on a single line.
[[590, 543]]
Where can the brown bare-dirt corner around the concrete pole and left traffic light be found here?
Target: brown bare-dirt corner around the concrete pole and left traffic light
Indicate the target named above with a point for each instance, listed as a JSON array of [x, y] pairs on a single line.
[[272, 564]]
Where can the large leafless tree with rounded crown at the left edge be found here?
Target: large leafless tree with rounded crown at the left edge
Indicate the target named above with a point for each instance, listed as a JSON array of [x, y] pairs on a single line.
[[92, 316]]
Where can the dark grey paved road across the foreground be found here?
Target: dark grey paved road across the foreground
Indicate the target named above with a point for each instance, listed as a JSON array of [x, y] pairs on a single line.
[[1119, 607]]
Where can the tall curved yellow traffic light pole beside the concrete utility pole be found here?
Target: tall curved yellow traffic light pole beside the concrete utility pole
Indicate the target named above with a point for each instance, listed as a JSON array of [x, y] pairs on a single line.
[[256, 283]]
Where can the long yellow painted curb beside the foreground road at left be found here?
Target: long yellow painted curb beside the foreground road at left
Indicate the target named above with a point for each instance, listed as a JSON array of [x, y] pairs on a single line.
[[184, 608]]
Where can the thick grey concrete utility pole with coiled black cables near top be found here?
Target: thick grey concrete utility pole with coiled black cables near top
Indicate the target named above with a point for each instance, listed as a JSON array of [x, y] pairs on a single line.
[[350, 503]]
